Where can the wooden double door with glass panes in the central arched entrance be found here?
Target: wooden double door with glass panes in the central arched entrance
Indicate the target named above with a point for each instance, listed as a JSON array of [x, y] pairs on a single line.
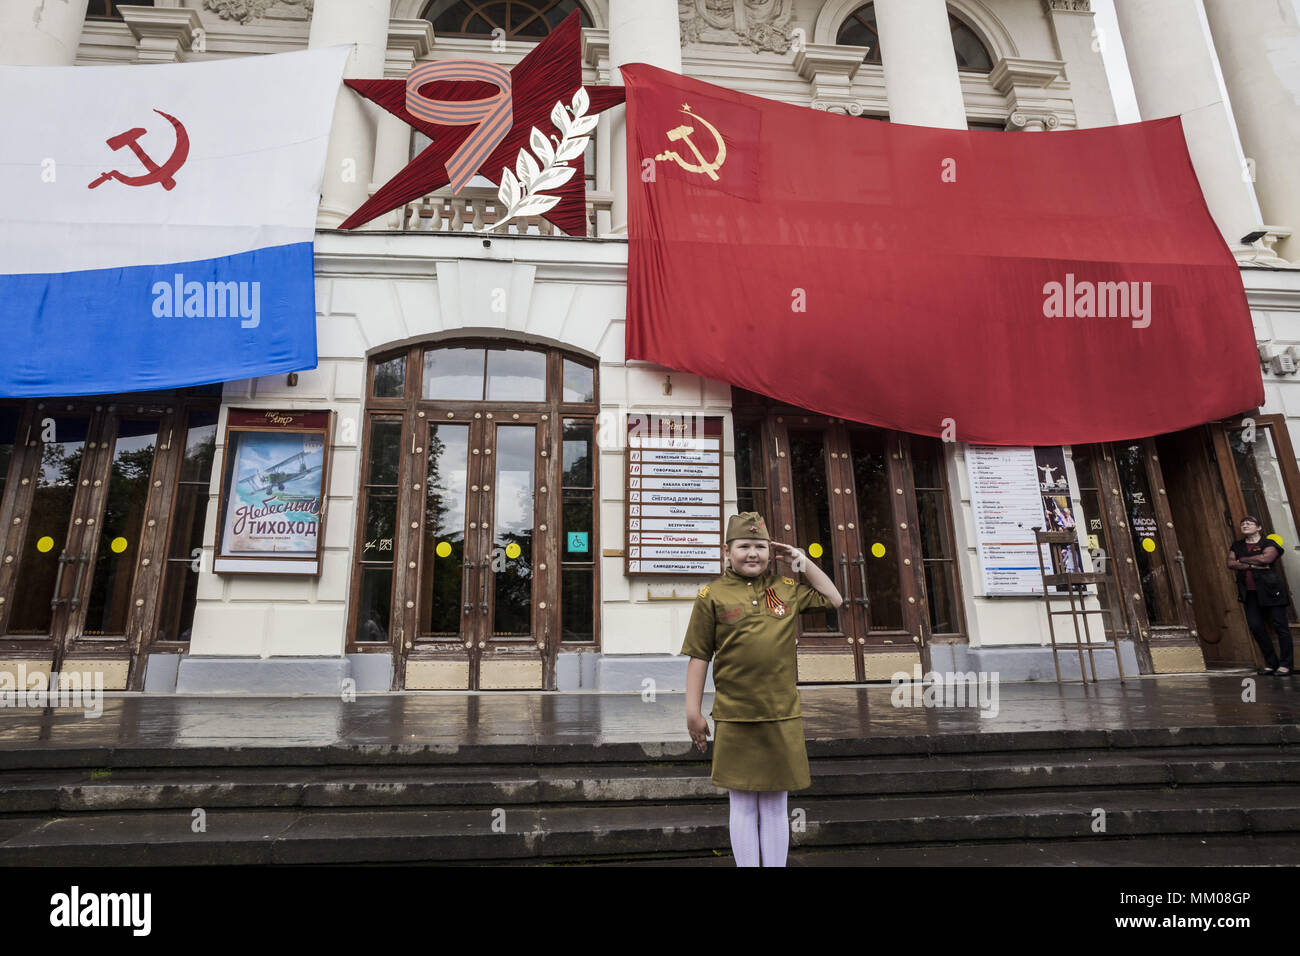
[[479, 563]]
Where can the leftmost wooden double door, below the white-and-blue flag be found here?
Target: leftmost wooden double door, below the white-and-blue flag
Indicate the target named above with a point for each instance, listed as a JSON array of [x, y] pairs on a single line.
[[89, 491]]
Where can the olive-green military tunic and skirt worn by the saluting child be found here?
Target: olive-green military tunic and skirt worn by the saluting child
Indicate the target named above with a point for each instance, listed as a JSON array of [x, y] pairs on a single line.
[[747, 626]]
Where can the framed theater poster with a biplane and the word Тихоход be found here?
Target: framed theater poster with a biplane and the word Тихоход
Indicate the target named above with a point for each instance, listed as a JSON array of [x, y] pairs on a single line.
[[274, 492]]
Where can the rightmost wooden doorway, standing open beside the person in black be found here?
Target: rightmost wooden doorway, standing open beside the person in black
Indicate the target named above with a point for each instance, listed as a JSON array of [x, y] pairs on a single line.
[[1164, 513]]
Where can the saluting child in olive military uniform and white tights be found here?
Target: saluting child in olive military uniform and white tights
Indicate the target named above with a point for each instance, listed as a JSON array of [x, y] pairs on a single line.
[[746, 624]]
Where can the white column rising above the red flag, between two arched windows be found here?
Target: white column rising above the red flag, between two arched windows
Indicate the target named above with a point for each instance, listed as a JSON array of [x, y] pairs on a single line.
[[920, 64]]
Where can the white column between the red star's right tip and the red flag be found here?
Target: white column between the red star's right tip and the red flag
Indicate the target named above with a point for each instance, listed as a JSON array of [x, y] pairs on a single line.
[[640, 32]]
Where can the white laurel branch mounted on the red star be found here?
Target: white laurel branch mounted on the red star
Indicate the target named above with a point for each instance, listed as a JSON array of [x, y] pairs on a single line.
[[525, 192]]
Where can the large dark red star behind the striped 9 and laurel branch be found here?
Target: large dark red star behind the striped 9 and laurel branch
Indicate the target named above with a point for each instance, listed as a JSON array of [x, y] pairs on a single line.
[[551, 73]]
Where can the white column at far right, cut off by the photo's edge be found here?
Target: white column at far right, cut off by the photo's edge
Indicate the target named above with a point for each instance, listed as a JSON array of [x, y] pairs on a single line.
[[1259, 50]]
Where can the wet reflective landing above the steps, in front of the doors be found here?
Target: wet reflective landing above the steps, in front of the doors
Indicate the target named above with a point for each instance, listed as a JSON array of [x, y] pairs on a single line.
[[531, 719]]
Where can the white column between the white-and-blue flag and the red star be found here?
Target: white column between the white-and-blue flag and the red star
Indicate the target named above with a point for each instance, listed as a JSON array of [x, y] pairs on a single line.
[[350, 161]]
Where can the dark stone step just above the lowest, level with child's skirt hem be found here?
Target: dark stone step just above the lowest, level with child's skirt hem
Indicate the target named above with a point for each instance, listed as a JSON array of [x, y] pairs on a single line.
[[71, 790]]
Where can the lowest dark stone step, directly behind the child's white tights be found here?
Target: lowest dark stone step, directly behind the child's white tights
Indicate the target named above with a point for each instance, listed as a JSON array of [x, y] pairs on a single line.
[[584, 833]]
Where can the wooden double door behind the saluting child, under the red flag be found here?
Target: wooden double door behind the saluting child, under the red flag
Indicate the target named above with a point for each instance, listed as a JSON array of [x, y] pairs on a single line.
[[870, 508]]
